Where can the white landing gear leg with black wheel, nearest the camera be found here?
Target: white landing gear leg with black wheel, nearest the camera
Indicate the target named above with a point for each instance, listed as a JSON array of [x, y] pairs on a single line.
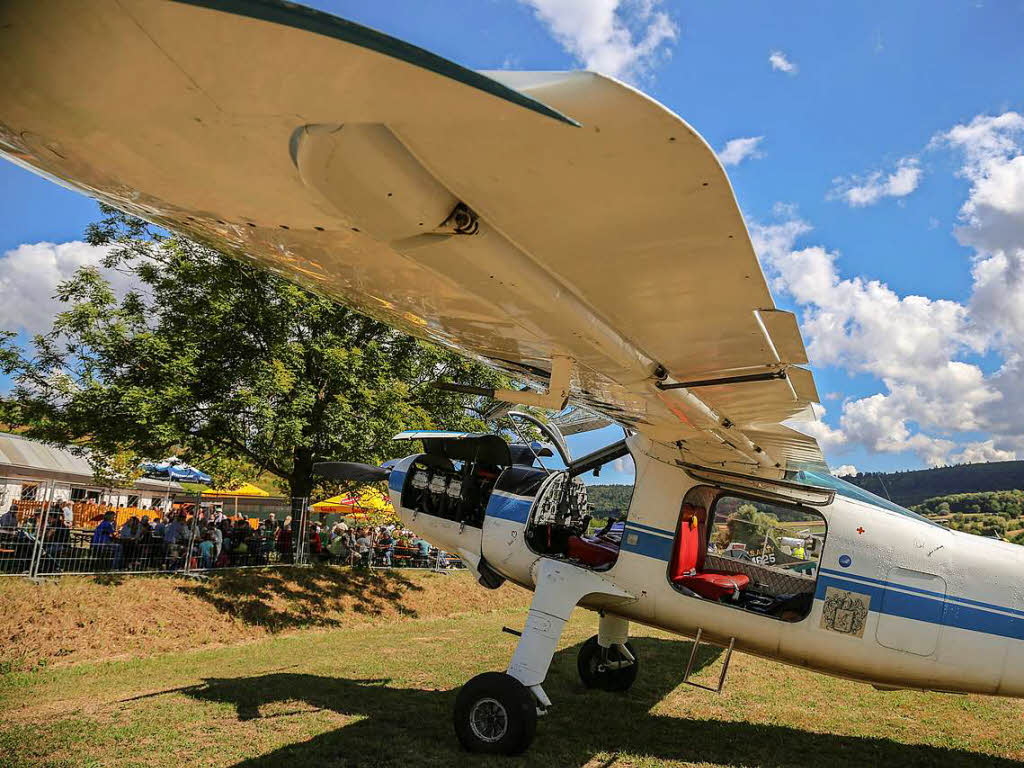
[[496, 713]]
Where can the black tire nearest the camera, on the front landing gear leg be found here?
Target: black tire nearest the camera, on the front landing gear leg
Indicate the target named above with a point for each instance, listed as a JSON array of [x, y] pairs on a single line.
[[495, 714]]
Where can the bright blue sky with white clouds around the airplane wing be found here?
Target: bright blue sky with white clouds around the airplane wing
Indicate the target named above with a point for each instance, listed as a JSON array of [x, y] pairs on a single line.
[[882, 162]]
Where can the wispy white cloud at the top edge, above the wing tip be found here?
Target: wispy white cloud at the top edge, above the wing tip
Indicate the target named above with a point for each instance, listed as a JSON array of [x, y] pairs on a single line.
[[622, 38]]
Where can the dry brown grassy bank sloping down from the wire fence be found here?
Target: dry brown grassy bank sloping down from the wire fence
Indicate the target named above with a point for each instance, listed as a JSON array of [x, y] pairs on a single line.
[[77, 619]]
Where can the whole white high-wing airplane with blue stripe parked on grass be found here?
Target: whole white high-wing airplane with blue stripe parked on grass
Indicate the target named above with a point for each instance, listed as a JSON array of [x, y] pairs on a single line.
[[570, 231]]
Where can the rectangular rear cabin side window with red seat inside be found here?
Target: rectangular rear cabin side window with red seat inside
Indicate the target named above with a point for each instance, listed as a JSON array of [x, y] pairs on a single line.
[[749, 553]]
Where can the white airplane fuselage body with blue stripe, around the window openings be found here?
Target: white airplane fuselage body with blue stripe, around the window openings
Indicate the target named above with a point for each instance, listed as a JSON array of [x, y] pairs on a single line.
[[945, 610]]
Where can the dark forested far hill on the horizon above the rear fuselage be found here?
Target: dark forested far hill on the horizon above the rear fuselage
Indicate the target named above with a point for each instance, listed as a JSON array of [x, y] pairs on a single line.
[[913, 488]]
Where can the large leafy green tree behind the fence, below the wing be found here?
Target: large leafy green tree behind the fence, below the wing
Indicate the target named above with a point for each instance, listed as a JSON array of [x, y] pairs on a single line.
[[225, 363]]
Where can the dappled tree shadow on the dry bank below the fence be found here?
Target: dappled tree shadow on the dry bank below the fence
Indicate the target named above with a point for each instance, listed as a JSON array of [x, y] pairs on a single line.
[[292, 598]]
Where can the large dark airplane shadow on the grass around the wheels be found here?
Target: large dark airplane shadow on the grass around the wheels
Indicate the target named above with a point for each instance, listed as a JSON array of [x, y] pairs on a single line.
[[407, 727]]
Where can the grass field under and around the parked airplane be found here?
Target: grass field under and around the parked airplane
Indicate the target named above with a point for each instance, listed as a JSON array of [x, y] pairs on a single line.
[[378, 689]]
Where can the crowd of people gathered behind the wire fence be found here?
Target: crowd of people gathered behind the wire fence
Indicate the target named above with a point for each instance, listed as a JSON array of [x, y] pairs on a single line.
[[203, 538]]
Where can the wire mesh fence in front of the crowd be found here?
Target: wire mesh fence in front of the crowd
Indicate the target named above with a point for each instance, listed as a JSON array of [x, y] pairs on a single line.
[[45, 533]]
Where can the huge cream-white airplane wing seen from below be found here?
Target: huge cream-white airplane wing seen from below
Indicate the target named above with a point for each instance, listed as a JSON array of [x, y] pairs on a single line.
[[562, 227]]
